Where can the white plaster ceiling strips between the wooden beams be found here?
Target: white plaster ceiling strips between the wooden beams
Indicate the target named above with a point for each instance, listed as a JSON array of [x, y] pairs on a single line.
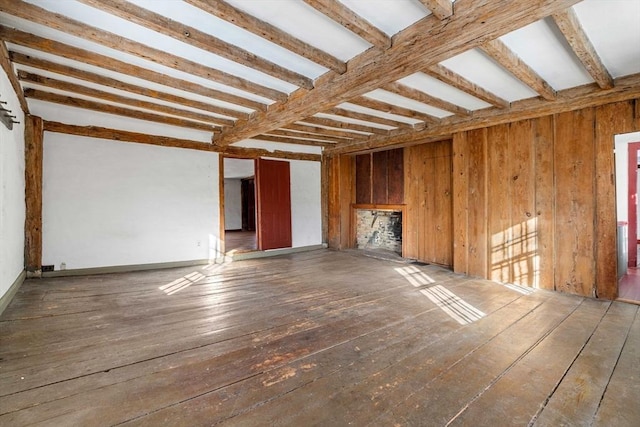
[[612, 26]]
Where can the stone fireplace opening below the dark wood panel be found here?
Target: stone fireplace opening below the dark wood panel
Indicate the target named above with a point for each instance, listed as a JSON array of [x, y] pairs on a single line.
[[379, 230]]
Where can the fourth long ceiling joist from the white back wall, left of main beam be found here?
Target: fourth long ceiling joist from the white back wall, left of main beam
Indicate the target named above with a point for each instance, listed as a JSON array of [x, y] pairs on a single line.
[[32, 41]]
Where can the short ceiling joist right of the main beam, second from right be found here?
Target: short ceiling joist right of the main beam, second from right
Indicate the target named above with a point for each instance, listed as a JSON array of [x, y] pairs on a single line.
[[516, 66]]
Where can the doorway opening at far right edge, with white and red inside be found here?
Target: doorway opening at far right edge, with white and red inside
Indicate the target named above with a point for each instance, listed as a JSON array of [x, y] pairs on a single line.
[[627, 155]]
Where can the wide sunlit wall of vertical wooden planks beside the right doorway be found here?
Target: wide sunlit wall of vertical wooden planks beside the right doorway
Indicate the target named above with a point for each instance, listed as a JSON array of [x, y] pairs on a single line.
[[534, 200]]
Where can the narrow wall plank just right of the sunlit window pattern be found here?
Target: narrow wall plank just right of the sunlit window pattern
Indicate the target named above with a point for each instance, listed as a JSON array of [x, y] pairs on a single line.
[[543, 136]]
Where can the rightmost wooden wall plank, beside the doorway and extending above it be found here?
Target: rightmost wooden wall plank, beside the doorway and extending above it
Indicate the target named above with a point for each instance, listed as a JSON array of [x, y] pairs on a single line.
[[610, 120]]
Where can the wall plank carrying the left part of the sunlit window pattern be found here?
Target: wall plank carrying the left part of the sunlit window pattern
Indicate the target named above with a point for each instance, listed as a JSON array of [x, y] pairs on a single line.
[[499, 214]]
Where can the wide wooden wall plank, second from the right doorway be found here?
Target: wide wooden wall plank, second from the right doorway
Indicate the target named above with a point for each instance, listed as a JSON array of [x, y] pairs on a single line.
[[575, 207]]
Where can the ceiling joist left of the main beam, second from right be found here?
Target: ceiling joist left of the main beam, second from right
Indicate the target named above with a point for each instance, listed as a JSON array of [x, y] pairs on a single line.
[[269, 32]]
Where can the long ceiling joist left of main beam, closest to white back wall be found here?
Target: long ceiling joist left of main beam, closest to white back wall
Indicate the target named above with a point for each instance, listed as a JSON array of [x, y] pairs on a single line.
[[116, 110]]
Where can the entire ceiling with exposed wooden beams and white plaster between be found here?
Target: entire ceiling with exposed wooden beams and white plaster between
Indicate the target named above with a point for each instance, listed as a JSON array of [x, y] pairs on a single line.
[[344, 76]]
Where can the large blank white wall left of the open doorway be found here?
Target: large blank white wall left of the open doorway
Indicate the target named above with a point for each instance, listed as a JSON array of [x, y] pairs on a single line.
[[108, 203]]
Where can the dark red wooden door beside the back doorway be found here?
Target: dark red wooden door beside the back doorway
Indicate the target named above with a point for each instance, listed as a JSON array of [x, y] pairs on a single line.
[[274, 204]]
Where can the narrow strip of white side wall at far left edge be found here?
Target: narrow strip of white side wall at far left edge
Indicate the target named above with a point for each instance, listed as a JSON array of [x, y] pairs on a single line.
[[12, 207]]
